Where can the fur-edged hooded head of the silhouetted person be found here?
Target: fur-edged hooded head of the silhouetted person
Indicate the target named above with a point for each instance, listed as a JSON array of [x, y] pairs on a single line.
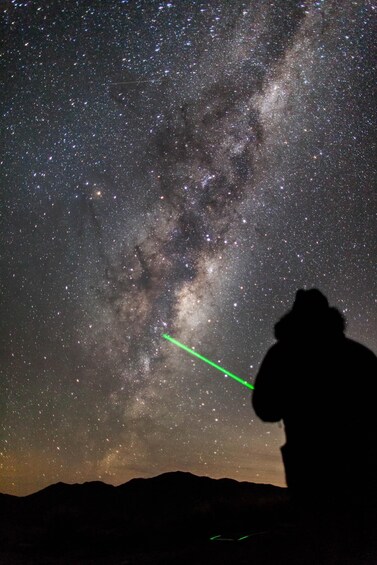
[[311, 316]]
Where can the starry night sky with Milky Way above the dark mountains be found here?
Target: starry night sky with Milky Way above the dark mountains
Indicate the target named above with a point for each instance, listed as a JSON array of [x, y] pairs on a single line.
[[176, 166]]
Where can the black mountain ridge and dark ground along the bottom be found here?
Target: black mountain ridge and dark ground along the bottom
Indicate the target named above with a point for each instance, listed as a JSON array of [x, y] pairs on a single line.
[[172, 518]]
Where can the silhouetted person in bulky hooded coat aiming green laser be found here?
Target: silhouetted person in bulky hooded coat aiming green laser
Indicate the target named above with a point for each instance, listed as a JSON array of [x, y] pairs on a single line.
[[323, 386]]
